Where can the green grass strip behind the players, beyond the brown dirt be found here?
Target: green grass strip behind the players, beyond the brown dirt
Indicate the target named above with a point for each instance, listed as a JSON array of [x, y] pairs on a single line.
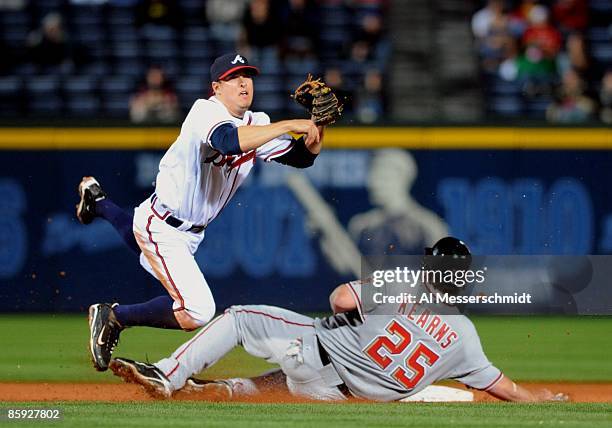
[[53, 348]]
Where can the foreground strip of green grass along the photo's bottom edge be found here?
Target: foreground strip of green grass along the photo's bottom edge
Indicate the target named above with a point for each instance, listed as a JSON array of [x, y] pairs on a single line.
[[237, 415]]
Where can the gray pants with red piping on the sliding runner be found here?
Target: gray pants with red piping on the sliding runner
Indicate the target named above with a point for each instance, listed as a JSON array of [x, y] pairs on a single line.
[[279, 336]]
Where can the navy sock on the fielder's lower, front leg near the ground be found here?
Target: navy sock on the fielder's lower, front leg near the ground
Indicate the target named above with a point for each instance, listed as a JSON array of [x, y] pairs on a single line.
[[156, 313]]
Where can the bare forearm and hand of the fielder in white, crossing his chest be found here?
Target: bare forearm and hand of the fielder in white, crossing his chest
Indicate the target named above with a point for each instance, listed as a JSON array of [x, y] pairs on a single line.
[[252, 137]]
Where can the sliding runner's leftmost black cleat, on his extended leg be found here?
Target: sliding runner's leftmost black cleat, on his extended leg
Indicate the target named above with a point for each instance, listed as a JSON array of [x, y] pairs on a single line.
[[147, 375]]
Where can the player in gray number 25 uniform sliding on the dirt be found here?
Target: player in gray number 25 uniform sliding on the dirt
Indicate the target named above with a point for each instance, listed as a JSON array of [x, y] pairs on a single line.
[[361, 351]]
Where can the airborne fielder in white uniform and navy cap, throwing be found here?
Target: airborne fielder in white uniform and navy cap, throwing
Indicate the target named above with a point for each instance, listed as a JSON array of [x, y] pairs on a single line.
[[219, 142]]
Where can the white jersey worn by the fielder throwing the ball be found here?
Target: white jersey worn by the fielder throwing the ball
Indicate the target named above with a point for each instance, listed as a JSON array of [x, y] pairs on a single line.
[[195, 182]]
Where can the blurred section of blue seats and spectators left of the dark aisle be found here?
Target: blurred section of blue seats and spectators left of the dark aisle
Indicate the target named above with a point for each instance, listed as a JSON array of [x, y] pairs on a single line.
[[170, 43]]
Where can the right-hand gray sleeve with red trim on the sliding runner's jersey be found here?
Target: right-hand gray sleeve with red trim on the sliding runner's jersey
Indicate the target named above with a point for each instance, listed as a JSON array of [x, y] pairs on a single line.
[[474, 369]]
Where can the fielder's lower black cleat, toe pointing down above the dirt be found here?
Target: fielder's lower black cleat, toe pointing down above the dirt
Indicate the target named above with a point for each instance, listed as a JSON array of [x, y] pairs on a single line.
[[104, 334]]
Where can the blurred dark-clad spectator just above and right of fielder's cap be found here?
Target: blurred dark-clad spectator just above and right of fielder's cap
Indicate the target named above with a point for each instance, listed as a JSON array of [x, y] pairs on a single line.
[[261, 29]]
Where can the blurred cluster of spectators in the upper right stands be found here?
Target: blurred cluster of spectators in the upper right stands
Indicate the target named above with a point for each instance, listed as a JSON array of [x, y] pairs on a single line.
[[539, 51]]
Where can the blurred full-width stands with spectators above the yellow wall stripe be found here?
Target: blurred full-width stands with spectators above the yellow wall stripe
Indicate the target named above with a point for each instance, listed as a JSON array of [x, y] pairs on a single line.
[[411, 60]]
